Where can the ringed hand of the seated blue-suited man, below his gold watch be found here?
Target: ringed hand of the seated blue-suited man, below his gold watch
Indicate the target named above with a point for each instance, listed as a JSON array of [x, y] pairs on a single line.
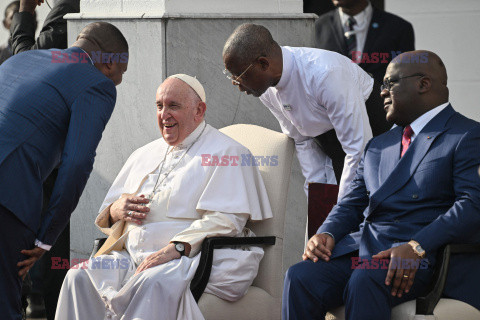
[[404, 263]]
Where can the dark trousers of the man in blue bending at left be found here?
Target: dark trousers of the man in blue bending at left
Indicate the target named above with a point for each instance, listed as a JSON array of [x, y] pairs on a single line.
[[14, 237]]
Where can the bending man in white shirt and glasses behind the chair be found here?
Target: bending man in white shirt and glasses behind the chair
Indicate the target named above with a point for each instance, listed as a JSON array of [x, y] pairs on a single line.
[[317, 96]]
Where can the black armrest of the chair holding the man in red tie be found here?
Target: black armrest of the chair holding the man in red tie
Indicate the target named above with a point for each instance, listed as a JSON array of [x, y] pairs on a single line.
[[426, 304]]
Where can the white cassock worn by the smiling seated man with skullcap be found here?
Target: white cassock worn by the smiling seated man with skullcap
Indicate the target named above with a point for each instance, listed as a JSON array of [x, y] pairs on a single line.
[[192, 201]]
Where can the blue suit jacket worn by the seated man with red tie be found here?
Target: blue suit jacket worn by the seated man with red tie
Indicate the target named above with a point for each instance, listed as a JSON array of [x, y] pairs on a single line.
[[431, 195]]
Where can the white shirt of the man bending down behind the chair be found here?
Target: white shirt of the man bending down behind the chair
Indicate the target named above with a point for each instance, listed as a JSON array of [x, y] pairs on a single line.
[[320, 90]]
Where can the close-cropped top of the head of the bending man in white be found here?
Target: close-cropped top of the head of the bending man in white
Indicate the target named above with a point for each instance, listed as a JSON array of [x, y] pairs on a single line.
[[247, 42]]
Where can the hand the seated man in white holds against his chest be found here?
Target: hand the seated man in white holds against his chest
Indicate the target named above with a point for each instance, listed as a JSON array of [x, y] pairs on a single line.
[[136, 205]]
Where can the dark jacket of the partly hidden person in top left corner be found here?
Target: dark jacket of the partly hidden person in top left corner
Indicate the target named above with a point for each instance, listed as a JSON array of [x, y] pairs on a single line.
[[53, 33]]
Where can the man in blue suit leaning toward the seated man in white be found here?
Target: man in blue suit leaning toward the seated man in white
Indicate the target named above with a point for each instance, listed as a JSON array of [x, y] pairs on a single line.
[[54, 105]]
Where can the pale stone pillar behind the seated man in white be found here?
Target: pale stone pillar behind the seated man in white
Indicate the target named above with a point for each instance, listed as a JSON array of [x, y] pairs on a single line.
[[183, 36]]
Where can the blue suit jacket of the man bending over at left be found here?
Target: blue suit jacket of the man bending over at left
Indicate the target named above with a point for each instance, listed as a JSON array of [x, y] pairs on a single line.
[[51, 114]]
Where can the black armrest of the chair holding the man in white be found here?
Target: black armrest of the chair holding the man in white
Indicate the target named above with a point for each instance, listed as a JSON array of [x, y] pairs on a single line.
[[202, 275]]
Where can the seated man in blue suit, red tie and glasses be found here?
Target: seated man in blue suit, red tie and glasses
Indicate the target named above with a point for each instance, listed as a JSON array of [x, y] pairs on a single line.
[[416, 189]]
